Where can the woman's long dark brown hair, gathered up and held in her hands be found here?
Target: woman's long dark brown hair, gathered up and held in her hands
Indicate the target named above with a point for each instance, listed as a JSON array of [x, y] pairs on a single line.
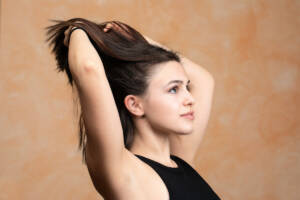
[[127, 57]]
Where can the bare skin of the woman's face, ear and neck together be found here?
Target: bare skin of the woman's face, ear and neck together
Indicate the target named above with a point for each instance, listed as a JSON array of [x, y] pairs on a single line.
[[162, 106]]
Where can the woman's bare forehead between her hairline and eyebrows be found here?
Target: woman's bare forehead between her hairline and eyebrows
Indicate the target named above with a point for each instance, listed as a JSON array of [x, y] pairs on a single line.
[[166, 72]]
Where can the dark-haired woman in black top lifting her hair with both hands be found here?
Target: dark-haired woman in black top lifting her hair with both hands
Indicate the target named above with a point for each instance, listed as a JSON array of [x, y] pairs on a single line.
[[144, 110]]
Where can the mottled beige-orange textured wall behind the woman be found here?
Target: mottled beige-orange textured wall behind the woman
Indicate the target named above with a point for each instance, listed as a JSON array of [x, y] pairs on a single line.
[[252, 48]]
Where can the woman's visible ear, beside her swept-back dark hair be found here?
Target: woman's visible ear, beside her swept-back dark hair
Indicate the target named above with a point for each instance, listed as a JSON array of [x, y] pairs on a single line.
[[134, 105]]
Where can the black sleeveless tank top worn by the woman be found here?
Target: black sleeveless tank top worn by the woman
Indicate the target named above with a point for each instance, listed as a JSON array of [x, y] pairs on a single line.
[[183, 182]]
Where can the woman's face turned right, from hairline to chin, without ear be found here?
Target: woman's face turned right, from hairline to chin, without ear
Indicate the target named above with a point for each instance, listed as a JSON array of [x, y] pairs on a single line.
[[167, 98]]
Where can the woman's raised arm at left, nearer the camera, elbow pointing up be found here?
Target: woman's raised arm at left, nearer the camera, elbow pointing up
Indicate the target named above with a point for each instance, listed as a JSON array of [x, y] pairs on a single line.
[[105, 146]]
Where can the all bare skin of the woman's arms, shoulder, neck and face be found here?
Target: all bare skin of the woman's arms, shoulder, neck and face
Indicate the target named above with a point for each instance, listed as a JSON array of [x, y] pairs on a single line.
[[121, 175]]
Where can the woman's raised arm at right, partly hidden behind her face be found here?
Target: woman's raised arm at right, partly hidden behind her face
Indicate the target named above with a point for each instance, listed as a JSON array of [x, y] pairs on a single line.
[[202, 87]]
